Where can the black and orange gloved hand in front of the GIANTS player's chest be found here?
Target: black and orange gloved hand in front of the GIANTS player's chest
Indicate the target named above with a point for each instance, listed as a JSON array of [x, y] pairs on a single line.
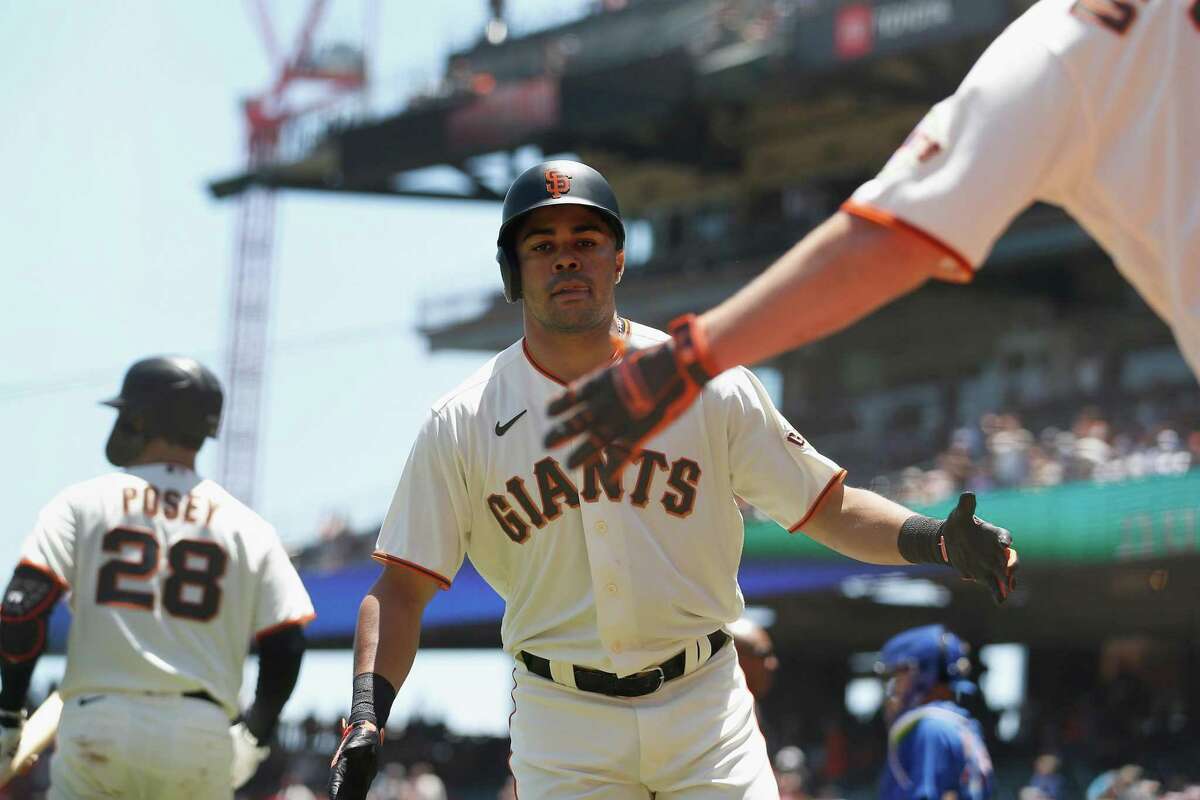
[[619, 408]]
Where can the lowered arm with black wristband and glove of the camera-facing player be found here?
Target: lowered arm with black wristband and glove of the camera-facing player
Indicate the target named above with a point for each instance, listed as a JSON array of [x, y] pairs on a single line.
[[389, 630]]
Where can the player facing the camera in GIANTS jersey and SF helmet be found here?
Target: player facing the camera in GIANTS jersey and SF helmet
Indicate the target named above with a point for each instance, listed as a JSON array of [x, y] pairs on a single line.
[[619, 587]]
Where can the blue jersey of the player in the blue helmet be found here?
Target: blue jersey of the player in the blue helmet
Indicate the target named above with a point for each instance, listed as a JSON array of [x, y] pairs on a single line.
[[933, 750]]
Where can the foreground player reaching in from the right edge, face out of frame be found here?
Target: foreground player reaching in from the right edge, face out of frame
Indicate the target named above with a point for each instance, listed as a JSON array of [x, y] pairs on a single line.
[[1089, 105]]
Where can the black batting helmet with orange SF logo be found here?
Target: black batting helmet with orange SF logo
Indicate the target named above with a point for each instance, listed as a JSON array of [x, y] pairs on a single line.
[[551, 183]]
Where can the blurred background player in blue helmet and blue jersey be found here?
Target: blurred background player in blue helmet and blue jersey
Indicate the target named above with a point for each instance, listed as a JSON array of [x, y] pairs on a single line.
[[935, 748]]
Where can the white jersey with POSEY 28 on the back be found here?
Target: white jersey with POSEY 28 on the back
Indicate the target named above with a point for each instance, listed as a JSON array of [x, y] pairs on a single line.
[[170, 580]]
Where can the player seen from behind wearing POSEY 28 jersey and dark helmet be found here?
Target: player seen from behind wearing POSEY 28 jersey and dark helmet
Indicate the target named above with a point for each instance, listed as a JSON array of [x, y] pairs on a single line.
[[170, 579]]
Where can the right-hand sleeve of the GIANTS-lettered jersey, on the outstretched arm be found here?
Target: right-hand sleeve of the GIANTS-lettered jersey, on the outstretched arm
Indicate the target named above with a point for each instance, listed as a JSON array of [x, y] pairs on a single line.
[[773, 467]]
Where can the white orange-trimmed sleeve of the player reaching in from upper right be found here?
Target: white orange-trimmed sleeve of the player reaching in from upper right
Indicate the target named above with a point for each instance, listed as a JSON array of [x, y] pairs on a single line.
[[982, 157]]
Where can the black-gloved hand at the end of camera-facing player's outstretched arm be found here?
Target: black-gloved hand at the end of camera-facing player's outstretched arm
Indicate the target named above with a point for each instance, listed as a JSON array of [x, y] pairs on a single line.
[[979, 550]]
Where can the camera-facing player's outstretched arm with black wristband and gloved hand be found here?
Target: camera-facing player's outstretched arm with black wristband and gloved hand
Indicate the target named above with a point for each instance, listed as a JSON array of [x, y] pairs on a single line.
[[869, 528]]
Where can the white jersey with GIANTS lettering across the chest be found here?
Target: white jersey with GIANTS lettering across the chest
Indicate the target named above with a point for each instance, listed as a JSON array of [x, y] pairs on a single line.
[[605, 573]]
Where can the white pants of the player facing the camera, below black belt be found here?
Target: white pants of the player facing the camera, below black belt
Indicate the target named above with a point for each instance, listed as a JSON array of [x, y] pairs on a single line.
[[694, 739]]
